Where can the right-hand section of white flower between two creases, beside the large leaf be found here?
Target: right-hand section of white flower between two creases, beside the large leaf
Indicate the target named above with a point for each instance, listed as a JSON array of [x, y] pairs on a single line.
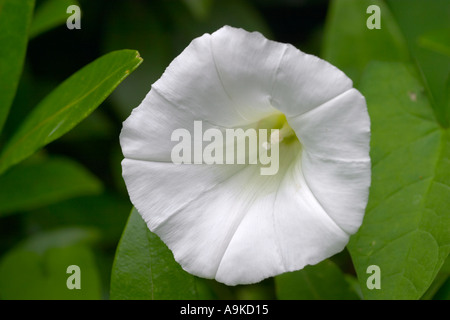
[[336, 161]]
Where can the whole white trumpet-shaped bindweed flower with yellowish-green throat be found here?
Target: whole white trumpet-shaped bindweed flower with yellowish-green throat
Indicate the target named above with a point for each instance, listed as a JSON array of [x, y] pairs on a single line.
[[228, 221]]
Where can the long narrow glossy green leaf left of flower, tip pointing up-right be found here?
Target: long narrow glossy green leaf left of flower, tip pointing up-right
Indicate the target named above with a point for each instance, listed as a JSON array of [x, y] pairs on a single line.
[[68, 104]]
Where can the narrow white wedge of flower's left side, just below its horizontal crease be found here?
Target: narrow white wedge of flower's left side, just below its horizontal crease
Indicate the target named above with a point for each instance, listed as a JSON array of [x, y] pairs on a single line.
[[181, 184]]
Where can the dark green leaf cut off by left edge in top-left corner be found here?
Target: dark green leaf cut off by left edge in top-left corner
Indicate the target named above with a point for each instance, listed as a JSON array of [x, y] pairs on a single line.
[[15, 18]]
